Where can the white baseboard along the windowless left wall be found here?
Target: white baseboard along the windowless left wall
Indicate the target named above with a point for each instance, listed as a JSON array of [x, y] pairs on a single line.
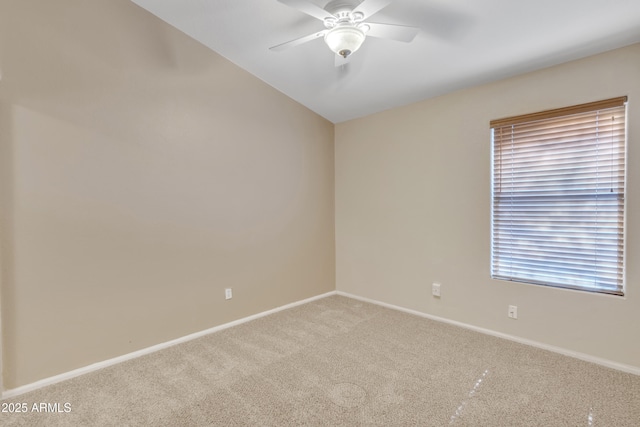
[[99, 365]]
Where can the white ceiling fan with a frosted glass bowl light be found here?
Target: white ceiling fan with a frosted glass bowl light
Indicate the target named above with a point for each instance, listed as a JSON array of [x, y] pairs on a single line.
[[345, 26]]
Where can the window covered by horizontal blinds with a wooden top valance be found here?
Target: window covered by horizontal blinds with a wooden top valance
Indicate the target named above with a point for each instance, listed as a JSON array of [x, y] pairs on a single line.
[[558, 197]]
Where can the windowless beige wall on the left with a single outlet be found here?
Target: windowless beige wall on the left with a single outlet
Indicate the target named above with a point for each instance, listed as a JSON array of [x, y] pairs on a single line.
[[142, 174]]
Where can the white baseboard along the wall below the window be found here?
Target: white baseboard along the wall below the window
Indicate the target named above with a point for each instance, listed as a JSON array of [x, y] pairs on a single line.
[[577, 355]]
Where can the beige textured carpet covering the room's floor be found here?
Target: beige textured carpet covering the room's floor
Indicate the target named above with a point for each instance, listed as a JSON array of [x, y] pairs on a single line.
[[342, 362]]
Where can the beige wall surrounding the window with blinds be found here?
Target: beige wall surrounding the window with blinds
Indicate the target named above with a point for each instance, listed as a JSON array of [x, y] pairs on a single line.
[[413, 207]]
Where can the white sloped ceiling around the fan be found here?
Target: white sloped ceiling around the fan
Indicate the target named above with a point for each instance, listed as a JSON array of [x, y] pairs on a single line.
[[461, 43]]
